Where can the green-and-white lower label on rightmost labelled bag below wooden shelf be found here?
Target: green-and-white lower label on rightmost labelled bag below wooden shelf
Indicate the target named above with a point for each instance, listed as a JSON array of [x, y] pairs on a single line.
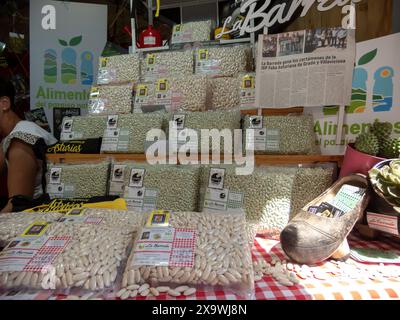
[[222, 200]]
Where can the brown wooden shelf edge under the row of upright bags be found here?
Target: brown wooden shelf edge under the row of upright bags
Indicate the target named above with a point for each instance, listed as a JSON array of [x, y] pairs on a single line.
[[260, 159]]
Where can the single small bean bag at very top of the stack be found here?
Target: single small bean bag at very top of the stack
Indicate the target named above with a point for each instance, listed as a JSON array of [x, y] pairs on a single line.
[[193, 31]]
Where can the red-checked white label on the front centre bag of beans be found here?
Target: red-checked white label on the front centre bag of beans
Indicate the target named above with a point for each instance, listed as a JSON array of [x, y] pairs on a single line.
[[172, 247]]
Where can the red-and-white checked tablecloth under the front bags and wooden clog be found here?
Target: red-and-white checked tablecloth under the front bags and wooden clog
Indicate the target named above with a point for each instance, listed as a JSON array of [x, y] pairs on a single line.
[[360, 282]]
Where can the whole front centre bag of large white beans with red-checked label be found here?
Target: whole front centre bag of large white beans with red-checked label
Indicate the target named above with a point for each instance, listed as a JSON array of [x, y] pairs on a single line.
[[199, 250]]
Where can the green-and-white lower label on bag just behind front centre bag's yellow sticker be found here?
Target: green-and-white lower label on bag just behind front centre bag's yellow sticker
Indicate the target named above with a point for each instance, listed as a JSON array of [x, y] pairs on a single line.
[[140, 198]]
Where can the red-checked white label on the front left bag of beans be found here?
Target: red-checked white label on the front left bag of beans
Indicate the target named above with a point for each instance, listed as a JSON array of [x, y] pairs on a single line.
[[32, 253]]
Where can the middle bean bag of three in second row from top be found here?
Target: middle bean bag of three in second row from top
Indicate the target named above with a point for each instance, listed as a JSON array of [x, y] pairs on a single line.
[[164, 64]]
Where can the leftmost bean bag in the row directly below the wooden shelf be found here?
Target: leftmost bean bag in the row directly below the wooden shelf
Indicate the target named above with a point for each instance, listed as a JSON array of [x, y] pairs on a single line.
[[86, 180]]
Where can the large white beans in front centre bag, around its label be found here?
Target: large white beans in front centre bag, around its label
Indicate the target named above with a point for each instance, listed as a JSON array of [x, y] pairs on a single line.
[[222, 257]]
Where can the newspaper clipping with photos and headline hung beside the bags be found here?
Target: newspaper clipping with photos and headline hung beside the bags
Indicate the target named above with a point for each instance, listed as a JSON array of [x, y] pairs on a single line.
[[305, 68]]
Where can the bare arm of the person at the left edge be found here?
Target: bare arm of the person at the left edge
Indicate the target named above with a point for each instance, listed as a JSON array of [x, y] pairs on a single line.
[[22, 170]]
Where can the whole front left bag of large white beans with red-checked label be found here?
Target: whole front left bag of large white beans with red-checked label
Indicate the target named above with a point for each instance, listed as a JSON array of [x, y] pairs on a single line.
[[68, 254]]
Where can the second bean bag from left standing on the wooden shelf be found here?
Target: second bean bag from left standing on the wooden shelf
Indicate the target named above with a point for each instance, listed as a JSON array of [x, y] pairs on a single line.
[[126, 133]]
